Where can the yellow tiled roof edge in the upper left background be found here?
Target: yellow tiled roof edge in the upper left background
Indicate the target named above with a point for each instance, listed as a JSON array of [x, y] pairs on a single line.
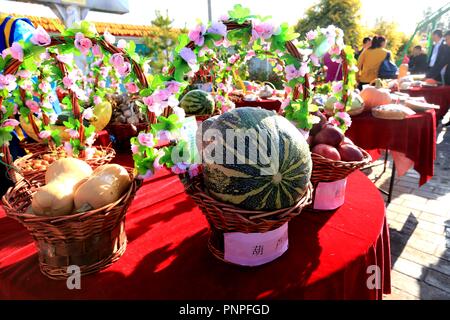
[[125, 30]]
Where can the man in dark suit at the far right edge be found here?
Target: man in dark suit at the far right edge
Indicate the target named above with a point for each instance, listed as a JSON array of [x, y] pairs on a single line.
[[437, 60]]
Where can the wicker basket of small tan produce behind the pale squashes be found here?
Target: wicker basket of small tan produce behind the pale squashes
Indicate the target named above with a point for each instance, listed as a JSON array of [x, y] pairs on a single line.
[[35, 177]]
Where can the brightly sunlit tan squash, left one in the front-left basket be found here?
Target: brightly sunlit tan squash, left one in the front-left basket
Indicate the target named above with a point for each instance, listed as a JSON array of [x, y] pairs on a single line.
[[61, 178]]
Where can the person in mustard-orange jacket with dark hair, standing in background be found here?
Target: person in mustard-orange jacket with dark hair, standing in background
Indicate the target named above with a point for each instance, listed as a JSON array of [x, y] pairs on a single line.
[[370, 60]]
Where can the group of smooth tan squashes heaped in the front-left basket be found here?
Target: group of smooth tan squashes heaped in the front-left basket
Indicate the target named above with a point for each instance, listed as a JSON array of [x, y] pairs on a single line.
[[71, 185]]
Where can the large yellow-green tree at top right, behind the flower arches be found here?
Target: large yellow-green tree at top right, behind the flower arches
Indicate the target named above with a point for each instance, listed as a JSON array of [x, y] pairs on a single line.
[[344, 14]]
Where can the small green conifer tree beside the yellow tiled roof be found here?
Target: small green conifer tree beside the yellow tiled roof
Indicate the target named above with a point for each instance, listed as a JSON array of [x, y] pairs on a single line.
[[161, 41]]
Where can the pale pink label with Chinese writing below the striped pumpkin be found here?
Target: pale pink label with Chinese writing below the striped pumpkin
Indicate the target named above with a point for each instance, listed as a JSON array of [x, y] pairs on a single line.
[[254, 249]]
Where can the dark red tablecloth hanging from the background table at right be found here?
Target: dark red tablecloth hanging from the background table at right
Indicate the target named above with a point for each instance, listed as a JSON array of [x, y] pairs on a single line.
[[414, 136]]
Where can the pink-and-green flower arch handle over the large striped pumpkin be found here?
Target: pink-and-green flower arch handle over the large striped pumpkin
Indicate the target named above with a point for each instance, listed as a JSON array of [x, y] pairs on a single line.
[[239, 27]]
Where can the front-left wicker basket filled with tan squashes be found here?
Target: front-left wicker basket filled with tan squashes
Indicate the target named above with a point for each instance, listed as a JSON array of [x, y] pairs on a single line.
[[77, 216]]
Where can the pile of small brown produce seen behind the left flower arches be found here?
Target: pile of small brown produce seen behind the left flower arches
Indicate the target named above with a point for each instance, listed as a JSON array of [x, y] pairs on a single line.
[[125, 110]]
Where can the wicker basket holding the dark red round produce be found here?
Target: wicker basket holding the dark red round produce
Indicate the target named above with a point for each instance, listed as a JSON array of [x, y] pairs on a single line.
[[326, 170]]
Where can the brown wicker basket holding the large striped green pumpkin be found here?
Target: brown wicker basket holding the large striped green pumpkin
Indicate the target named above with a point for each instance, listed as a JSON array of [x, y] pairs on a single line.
[[223, 217]]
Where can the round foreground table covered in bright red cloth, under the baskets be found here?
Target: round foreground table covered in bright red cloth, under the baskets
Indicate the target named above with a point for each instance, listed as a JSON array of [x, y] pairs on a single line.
[[167, 255]]
